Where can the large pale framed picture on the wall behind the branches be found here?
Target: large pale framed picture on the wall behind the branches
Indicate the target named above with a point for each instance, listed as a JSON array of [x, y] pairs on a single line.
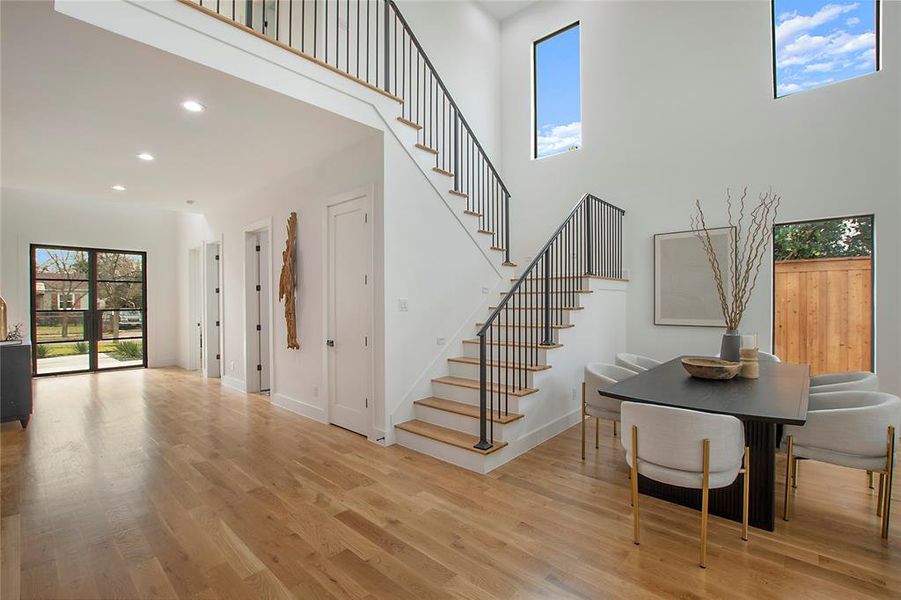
[[684, 287]]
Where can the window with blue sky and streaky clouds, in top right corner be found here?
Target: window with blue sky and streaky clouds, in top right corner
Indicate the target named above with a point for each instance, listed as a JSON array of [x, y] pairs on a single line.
[[819, 42]]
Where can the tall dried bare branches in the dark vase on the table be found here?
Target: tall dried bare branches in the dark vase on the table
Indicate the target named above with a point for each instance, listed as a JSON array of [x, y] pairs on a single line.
[[751, 233]]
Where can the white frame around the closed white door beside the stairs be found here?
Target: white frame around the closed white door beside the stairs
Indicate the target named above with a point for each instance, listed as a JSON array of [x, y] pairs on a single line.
[[368, 193]]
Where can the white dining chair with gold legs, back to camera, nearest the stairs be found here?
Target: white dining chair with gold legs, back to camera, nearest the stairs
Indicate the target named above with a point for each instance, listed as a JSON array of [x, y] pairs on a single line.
[[685, 448]]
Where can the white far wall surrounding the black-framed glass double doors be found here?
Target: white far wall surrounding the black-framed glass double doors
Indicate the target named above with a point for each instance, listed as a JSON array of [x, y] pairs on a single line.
[[28, 217]]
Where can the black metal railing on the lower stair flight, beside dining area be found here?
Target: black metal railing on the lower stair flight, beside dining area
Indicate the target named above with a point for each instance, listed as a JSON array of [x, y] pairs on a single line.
[[522, 326]]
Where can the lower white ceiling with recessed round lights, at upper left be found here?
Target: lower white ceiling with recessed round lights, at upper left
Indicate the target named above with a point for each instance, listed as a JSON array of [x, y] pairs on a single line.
[[79, 103]]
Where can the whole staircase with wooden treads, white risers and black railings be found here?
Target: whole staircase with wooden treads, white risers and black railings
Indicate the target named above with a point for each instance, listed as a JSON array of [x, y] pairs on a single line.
[[502, 394]]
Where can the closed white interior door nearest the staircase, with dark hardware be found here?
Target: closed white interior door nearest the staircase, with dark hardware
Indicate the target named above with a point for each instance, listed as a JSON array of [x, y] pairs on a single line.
[[349, 314]]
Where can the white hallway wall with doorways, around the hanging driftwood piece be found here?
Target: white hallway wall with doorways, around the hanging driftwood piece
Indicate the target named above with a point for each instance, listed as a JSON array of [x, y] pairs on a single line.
[[297, 381]]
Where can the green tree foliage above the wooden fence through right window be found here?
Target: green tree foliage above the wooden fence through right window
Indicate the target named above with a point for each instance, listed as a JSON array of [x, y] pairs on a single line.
[[830, 238]]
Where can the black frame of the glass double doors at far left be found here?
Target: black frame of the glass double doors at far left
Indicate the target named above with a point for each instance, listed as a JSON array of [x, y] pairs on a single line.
[[92, 289]]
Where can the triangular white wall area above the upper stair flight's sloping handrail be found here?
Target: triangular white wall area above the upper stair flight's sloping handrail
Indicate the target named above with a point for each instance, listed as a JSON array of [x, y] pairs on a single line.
[[463, 43]]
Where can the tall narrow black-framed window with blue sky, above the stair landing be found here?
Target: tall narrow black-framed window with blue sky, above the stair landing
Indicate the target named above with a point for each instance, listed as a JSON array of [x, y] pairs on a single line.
[[557, 94]]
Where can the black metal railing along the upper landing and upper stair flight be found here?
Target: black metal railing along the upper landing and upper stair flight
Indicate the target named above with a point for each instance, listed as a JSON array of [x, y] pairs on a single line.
[[370, 41]]
